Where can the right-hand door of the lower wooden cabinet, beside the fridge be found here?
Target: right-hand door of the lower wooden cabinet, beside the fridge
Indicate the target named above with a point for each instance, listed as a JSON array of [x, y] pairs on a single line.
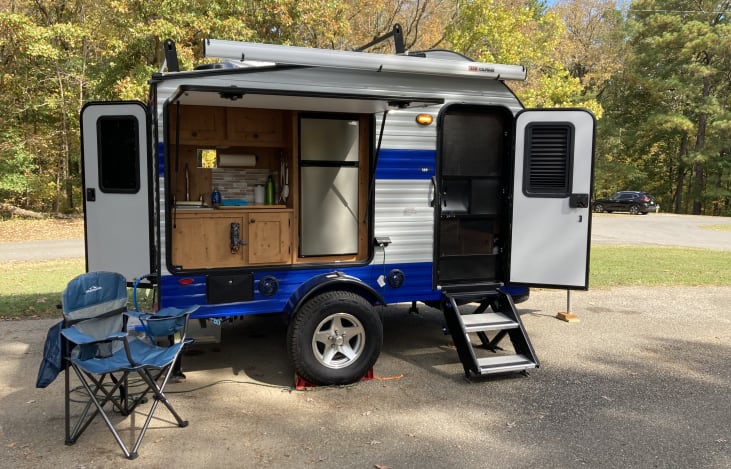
[[270, 237]]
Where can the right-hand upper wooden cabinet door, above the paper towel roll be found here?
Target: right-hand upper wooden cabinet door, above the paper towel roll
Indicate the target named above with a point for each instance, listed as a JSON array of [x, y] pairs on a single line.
[[255, 127]]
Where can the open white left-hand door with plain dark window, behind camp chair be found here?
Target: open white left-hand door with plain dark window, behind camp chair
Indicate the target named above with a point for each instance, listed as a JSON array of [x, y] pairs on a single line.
[[117, 210]]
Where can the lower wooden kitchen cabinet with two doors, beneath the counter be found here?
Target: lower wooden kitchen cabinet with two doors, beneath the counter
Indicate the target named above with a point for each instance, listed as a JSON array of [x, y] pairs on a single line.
[[201, 239]]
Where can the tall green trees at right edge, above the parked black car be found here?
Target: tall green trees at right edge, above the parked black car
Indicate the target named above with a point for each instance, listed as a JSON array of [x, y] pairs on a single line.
[[672, 103]]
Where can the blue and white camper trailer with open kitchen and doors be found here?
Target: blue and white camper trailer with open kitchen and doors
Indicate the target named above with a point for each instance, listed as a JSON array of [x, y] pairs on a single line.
[[413, 177]]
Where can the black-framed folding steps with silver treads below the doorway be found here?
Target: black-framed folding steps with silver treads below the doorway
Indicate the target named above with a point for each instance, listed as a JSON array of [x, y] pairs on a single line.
[[502, 318]]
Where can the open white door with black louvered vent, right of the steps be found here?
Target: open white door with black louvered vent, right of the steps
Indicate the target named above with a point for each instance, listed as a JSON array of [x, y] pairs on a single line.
[[551, 219]]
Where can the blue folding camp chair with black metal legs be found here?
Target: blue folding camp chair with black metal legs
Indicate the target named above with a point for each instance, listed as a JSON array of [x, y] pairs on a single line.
[[104, 356]]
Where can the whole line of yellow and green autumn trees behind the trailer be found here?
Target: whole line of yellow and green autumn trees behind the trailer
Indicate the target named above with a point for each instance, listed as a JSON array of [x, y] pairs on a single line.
[[657, 73]]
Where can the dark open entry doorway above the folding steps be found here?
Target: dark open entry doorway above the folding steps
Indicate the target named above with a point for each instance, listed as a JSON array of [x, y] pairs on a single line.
[[471, 218]]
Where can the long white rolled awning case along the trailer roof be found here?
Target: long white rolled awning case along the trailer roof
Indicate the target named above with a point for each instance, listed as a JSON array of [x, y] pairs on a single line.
[[291, 55]]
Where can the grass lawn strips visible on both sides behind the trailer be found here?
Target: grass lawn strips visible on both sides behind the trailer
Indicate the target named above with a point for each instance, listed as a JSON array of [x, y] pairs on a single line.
[[33, 289]]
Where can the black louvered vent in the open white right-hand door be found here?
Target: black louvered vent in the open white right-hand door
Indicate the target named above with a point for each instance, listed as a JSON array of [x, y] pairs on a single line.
[[548, 159]]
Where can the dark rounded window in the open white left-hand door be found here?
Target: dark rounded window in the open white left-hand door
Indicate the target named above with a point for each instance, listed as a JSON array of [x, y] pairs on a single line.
[[118, 146]]
